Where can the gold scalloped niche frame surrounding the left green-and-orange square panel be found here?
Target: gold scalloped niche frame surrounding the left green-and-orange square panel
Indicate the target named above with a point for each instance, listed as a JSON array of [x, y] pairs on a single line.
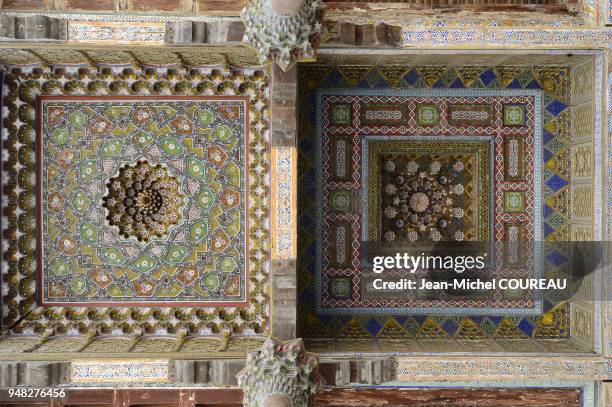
[[21, 310]]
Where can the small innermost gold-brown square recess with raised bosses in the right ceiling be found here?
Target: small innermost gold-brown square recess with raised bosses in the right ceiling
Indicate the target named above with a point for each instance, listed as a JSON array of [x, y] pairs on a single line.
[[427, 191]]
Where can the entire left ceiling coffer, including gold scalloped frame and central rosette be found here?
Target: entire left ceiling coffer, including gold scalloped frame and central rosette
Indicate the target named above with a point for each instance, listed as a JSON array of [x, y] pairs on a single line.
[[113, 179]]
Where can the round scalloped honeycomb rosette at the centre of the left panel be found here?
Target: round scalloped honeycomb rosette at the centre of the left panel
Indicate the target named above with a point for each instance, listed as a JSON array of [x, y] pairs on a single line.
[[143, 200]]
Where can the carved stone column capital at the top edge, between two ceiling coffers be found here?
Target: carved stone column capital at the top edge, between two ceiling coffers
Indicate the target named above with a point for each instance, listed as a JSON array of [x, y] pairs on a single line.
[[283, 31]]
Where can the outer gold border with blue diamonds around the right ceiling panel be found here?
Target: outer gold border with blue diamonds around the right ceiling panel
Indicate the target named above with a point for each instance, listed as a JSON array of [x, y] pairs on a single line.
[[554, 83]]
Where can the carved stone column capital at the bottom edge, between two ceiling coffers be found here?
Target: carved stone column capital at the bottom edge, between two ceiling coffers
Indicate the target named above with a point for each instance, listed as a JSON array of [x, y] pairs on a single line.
[[280, 374]]
